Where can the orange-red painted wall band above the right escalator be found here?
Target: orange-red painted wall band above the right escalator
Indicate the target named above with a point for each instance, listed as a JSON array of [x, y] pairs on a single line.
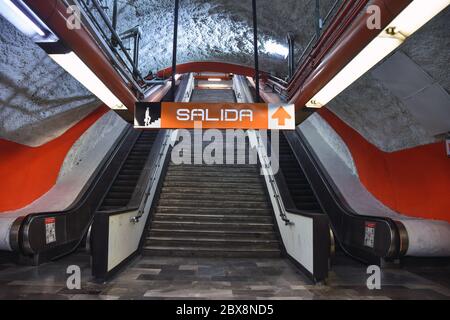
[[414, 182]]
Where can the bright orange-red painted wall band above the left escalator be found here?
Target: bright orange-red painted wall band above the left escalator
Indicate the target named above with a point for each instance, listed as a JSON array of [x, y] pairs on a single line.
[[27, 173]]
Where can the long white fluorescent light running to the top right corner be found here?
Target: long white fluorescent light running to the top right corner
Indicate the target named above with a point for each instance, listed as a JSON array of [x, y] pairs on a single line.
[[412, 18]]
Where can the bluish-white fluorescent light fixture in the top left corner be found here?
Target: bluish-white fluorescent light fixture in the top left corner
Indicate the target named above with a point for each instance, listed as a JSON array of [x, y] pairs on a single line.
[[24, 19]]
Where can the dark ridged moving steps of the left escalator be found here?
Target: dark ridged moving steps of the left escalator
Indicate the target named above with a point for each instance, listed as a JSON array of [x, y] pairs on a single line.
[[119, 195]]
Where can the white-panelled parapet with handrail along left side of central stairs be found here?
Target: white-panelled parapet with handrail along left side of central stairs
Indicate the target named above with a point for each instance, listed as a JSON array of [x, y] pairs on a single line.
[[117, 235]]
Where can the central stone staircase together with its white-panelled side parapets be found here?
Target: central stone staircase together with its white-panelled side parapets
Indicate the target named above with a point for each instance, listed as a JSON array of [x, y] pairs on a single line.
[[214, 207]]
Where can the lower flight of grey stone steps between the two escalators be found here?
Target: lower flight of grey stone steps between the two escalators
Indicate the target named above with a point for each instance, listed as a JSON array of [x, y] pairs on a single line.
[[213, 211]]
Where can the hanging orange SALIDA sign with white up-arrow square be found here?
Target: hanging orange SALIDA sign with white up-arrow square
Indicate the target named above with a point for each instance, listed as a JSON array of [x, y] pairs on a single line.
[[189, 115]]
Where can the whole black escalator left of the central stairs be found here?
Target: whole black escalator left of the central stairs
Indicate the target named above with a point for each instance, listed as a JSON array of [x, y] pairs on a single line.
[[123, 165]]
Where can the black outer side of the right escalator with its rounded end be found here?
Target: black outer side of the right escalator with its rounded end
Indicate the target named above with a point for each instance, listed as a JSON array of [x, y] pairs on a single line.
[[351, 230]]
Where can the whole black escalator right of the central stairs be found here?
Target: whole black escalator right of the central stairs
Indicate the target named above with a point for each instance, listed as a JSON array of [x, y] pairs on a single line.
[[367, 238]]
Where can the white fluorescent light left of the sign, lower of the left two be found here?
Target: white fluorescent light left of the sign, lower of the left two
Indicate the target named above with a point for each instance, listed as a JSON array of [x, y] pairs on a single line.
[[78, 69]]
